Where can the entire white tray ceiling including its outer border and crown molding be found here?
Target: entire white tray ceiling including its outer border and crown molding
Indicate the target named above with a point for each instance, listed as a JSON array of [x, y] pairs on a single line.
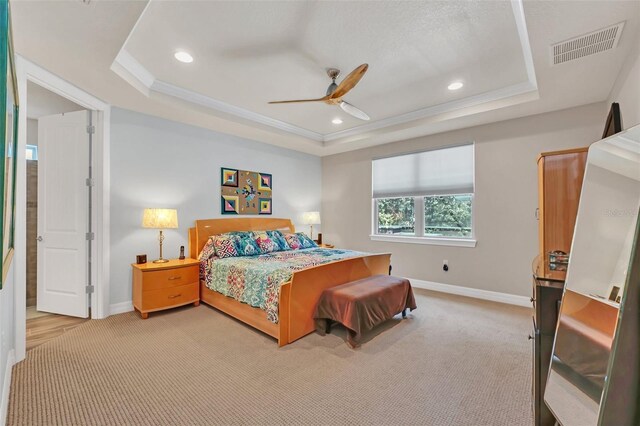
[[247, 53]]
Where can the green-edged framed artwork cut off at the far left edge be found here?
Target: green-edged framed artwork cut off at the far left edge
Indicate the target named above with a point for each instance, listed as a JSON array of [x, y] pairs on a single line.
[[9, 107]]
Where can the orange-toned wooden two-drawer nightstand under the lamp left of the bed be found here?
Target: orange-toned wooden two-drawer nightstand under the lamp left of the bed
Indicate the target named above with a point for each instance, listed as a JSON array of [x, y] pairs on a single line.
[[159, 286]]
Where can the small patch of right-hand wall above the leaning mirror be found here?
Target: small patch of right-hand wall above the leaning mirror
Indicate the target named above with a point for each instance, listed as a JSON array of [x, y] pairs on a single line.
[[626, 90]]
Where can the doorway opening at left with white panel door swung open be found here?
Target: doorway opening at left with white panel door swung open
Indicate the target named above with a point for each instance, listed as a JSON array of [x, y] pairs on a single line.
[[57, 205]]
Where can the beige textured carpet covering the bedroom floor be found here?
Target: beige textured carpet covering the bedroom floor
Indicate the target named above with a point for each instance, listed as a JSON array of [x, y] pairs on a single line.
[[454, 361]]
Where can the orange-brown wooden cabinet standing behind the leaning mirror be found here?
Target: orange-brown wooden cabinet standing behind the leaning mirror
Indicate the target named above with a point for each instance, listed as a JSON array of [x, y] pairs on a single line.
[[560, 175]]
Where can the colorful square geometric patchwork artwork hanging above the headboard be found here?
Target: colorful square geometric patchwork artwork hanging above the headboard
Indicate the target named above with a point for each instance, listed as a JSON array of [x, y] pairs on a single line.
[[245, 192]]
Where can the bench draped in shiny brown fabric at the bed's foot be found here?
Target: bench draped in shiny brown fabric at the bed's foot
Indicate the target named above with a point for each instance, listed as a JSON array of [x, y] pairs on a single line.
[[363, 304]]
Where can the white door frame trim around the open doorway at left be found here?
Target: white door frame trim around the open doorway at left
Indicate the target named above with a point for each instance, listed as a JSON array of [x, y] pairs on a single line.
[[28, 71]]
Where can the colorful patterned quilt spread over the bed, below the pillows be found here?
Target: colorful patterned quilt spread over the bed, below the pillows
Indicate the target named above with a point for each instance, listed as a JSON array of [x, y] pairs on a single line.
[[256, 280]]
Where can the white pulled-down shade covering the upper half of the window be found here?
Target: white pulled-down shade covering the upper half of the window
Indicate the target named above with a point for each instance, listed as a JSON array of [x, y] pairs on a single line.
[[445, 171]]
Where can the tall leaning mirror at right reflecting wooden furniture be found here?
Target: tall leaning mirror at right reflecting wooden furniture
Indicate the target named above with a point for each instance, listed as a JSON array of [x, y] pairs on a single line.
[[598, 274]]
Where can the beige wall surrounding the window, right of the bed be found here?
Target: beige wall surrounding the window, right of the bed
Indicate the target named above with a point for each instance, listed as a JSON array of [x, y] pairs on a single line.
[[505, 200]]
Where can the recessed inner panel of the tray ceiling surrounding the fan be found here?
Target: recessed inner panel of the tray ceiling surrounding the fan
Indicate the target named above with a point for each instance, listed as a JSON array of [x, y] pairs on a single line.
[[248, 53]]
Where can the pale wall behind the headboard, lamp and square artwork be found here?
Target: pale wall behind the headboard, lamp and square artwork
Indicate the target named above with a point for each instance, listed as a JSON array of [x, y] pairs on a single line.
[[160, 163]]
